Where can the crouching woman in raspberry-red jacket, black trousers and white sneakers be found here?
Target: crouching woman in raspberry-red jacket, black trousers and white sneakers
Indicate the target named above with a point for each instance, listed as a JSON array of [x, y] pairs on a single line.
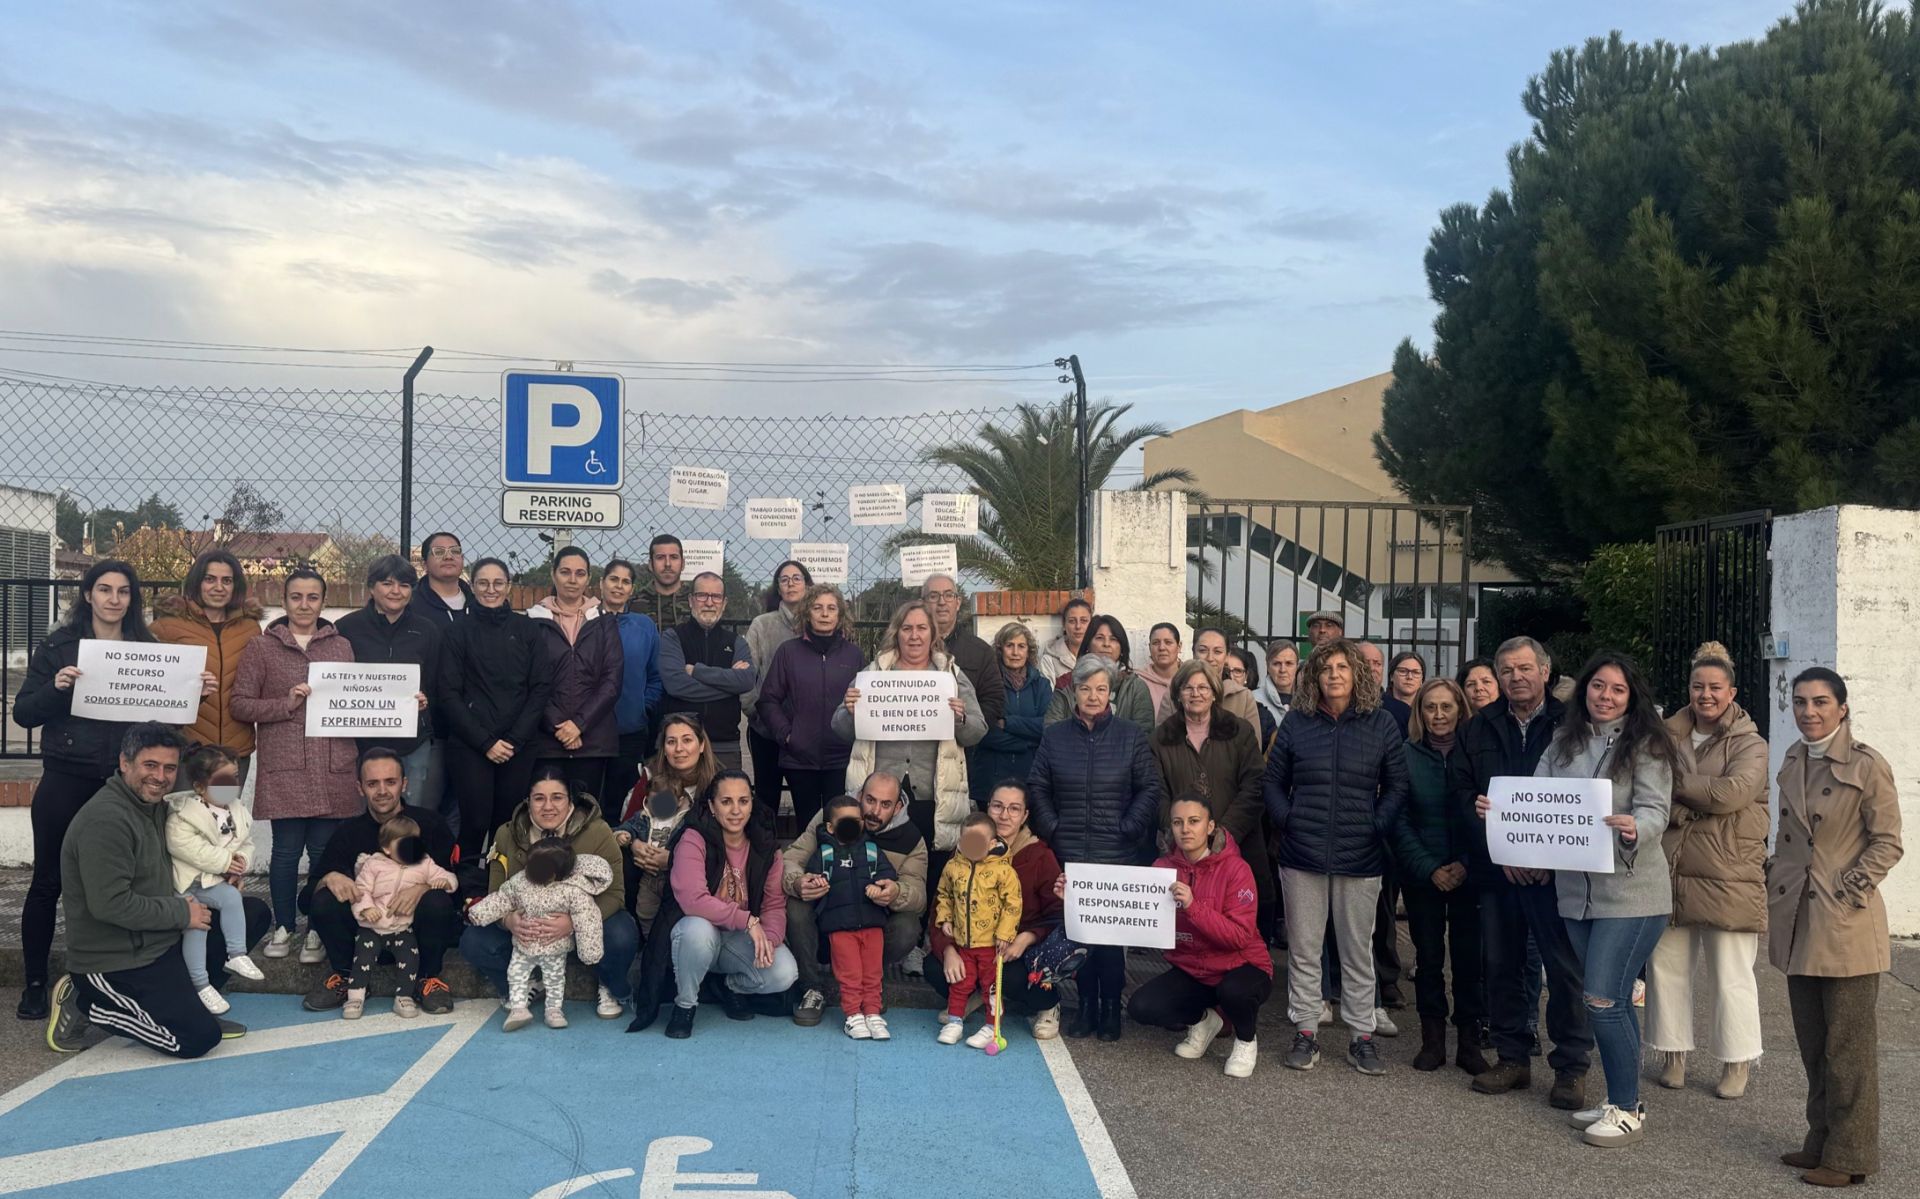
[[1220, 964]]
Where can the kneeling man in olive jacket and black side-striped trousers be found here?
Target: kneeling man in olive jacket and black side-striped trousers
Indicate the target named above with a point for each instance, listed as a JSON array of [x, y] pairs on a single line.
[[126, 971]]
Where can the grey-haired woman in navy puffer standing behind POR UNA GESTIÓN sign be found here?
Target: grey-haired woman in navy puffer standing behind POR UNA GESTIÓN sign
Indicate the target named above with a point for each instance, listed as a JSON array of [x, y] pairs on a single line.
[[1095, 793]]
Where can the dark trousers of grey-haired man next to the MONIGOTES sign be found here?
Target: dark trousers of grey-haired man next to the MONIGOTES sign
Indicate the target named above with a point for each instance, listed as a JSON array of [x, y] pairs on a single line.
[[1508, 914]]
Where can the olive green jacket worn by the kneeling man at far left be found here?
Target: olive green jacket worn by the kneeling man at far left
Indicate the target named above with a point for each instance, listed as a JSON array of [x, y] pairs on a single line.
[[118, 883]]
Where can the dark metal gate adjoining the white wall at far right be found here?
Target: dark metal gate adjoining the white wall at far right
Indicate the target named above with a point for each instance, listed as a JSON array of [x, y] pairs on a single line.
[[1714, 583]]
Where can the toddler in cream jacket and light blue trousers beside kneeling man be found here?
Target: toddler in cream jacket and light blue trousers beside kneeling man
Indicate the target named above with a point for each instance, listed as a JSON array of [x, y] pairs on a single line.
[[212, 844]]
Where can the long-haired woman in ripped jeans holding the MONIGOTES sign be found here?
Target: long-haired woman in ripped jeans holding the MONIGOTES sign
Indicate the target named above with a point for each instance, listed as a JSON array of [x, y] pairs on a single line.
[[1614, 731]]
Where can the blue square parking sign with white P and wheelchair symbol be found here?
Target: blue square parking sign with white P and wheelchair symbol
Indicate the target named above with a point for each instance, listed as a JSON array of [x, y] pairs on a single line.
[[562, 429]]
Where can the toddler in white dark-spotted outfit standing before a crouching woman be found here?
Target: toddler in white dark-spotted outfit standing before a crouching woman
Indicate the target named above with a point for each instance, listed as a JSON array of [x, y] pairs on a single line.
[[554, 881]]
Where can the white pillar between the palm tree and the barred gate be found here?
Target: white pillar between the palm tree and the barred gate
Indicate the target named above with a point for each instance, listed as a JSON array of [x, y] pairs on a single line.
[[1140, 562]]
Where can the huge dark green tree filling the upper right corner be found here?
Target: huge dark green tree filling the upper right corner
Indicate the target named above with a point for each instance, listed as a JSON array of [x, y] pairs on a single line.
[[1700, 293]]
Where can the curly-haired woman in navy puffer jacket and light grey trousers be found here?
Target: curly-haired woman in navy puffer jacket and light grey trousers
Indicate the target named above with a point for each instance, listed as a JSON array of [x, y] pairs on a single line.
[[1335, 785]]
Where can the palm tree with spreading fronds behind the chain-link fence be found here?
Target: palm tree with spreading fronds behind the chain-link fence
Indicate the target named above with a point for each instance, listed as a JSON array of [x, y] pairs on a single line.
[[1028, 479]]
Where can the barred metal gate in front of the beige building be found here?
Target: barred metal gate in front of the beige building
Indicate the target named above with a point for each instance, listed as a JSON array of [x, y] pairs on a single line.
[[1399, 574]]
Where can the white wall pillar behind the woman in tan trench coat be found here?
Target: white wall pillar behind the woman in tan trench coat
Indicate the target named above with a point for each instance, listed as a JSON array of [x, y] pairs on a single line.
[[1844, 599]]
